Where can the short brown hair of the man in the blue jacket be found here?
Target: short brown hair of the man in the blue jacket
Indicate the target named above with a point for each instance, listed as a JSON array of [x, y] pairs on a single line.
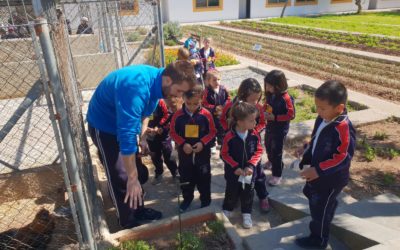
[[181, 71]]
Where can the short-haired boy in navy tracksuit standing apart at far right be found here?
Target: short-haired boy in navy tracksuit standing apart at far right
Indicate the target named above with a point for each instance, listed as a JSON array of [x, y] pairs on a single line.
[[326, 161]]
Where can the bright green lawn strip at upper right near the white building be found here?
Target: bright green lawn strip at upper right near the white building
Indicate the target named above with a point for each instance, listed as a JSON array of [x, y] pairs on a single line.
[[370, 23]]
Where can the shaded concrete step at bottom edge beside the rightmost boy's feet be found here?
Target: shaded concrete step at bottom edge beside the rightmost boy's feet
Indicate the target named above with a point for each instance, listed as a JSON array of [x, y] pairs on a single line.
[[283, 237]]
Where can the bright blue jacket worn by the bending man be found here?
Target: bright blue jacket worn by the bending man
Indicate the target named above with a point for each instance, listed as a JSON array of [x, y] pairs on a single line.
[[122, 99]]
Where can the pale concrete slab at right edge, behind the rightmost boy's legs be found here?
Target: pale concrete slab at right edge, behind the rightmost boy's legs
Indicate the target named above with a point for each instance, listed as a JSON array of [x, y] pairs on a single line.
[[383, 209]]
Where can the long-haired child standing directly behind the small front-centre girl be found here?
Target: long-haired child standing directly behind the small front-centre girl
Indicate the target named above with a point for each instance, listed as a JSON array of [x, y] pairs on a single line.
[[250, 91]]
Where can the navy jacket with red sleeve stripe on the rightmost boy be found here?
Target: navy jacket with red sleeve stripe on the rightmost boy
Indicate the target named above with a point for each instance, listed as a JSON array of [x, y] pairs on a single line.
[[333, 152]]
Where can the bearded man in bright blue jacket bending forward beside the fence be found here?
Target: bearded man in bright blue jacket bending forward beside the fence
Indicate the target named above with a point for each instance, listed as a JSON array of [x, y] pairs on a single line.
[[117, 118]]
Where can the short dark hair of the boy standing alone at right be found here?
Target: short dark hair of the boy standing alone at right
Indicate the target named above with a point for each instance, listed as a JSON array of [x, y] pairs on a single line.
[[332, 91]]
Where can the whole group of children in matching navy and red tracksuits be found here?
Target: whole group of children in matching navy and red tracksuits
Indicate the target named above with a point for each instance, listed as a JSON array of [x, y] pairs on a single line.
[[209, 116]]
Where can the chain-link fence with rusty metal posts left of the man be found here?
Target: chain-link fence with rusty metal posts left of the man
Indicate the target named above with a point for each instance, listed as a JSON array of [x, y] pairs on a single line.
[[48, 196]]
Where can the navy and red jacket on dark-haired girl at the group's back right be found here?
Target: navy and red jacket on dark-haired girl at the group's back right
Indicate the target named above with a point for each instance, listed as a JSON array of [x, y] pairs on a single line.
[[282, 106]]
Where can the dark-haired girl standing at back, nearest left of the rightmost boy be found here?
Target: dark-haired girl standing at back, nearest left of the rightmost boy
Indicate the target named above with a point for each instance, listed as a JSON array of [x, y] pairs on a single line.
[[279, 108]]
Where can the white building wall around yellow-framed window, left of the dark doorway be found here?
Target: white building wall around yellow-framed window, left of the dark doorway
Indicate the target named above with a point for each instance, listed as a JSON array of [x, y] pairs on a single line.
[[182, 11]]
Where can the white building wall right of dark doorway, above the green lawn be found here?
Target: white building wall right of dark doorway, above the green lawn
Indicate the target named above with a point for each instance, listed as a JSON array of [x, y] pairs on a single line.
[[258, 8]]
